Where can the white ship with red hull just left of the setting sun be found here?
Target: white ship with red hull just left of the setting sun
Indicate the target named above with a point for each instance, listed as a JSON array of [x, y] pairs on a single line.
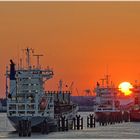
[[105, 100]]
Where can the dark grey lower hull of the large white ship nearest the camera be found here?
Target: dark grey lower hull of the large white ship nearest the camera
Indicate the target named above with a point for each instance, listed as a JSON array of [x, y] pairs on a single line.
[[36, 121]]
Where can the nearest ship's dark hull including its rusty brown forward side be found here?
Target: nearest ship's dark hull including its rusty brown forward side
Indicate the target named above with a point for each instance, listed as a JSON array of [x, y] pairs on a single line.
[[69, 111]]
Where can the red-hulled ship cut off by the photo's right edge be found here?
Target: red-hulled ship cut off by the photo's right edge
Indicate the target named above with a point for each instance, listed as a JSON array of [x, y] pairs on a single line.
[[135, 109]]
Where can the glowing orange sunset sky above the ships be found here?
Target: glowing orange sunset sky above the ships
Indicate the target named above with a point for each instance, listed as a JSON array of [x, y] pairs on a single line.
[[78, 39]]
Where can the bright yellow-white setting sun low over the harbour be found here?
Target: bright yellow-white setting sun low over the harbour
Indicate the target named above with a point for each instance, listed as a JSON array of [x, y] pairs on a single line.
[[125, 88]]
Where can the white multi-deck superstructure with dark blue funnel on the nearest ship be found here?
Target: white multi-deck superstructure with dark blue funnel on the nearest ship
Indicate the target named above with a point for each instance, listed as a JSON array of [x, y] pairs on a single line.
[[27, 92]]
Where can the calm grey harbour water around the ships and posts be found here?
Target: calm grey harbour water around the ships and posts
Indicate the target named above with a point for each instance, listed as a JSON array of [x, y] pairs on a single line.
[[129, 130]]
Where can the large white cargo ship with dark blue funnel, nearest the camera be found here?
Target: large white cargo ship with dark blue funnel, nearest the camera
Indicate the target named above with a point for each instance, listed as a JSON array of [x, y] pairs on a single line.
[[29, 106]]
